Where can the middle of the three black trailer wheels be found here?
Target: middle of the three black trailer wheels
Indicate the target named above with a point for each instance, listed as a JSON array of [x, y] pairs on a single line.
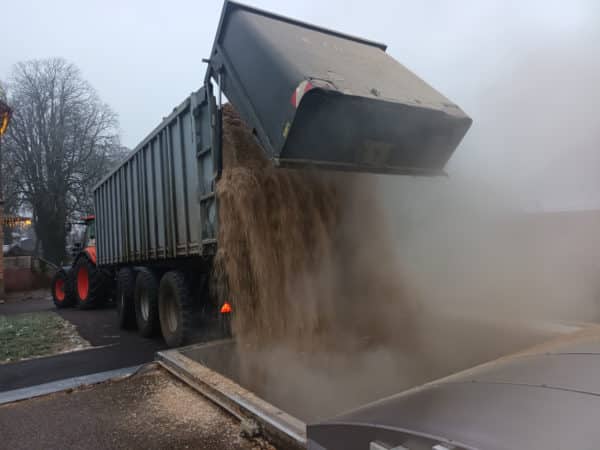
[[146, 303]]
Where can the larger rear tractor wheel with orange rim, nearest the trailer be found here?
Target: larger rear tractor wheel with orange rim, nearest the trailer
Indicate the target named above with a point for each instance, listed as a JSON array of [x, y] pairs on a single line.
[[90, 294]]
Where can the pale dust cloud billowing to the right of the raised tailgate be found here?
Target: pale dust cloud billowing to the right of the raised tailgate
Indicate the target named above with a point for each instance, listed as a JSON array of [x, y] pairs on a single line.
[[489, 239]]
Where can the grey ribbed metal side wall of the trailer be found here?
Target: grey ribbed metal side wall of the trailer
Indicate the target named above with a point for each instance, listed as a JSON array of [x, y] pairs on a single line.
[[159, 204]]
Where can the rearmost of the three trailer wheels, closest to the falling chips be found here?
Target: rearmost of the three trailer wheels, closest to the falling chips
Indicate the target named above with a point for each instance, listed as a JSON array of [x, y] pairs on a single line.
[[175, 308]]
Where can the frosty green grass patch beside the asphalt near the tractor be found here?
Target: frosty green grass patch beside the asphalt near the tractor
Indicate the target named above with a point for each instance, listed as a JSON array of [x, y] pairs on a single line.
[[31, 335]]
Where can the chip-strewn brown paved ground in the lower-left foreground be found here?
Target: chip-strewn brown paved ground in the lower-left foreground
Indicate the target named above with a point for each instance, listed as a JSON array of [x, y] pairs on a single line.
[[151, 410]]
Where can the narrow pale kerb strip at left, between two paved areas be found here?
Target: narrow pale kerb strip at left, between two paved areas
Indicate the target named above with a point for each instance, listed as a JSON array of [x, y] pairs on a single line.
[[65, 384]]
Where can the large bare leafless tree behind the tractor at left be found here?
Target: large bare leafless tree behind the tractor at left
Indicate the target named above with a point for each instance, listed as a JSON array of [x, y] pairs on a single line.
[[57, 146]]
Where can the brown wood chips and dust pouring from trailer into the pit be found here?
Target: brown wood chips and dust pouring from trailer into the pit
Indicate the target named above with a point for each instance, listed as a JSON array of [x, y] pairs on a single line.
[[327, 310]]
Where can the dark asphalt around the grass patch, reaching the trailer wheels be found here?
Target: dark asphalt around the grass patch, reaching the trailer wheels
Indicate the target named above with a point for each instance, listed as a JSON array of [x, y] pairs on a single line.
[[115, 348]]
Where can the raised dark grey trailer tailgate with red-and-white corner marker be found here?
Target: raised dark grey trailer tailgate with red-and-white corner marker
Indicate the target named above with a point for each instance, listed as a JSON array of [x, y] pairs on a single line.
[[320, 98]]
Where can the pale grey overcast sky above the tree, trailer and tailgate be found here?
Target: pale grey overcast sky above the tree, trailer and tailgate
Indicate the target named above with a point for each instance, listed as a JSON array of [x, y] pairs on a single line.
[[526, 71]]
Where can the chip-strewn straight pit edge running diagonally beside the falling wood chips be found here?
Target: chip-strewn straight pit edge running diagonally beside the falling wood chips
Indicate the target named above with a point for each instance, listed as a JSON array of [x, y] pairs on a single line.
[[279, 427]]
